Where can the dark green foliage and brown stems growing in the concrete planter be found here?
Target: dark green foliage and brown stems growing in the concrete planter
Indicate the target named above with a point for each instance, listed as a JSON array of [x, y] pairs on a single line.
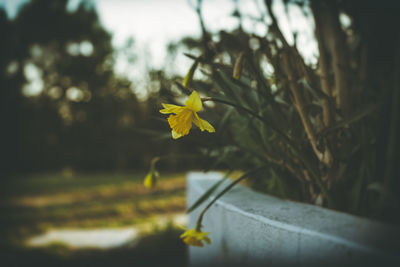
[[324, 133]]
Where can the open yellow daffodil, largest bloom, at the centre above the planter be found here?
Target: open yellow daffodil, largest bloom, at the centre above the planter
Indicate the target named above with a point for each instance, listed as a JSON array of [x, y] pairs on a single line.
[[181, 123]]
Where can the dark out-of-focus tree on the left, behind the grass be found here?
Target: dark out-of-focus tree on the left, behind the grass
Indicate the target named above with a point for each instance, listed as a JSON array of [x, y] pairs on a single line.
[[64, 105]]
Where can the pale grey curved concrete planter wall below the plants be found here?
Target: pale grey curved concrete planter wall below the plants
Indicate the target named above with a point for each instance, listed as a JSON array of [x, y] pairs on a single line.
[[253, 229]]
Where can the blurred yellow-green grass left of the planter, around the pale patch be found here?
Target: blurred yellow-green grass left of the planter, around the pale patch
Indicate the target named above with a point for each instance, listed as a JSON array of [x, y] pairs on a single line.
[[32, 204]]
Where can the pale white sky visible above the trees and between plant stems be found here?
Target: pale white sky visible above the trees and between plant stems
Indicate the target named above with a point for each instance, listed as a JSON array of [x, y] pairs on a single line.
[[154, 23]]
